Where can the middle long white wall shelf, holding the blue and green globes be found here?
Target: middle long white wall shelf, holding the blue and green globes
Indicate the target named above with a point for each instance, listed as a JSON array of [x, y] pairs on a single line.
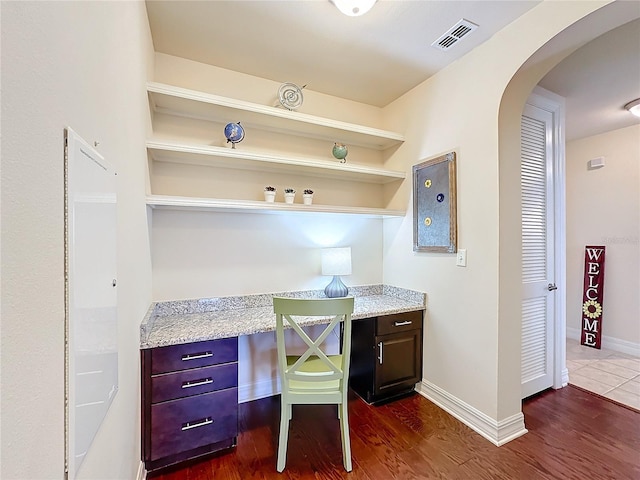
[[241, 159]]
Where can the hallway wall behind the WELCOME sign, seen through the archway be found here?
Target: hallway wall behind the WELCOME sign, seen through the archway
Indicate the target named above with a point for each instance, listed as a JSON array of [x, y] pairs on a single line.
[[603, 208]]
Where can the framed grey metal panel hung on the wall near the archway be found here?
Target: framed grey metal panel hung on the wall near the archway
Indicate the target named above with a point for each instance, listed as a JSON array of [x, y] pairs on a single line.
[[434, 205]]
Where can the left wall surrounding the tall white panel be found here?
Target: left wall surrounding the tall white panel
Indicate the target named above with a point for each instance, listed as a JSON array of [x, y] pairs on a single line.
[[83, 65]]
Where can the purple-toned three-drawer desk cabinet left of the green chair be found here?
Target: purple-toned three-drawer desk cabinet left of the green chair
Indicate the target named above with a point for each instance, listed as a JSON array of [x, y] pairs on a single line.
[[189, 401]]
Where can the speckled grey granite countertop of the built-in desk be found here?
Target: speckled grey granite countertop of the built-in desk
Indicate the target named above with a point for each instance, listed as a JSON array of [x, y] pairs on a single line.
[[186, 321]]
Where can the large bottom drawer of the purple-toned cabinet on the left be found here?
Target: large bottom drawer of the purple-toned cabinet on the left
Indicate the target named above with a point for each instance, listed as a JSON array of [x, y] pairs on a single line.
[[181, 425]]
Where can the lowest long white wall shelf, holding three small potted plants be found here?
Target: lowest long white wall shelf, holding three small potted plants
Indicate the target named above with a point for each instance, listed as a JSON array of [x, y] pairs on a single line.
[[245, 206]]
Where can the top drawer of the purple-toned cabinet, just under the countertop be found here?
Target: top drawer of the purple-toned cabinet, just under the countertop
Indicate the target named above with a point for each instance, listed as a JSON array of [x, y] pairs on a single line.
[[194, 355]]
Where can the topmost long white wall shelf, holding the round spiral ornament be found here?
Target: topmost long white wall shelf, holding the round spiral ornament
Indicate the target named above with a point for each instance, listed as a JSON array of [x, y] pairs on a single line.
[[190, 103]]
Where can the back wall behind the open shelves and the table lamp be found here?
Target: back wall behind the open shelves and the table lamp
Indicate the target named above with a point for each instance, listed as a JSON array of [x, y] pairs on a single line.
[[205, 254]]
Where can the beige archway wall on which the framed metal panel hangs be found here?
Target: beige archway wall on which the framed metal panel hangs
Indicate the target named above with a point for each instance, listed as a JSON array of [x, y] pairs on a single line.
[[472, 339]]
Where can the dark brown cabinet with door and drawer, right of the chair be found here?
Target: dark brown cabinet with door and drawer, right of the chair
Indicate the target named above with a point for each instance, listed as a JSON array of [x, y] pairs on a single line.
[[386, 356]]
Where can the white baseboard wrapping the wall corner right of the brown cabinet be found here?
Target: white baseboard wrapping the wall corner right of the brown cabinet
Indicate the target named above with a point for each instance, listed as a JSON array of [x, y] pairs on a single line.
[[497, 432]]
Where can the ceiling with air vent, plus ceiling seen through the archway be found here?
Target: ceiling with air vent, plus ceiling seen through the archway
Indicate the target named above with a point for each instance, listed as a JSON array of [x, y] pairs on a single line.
[[381, 55]]
